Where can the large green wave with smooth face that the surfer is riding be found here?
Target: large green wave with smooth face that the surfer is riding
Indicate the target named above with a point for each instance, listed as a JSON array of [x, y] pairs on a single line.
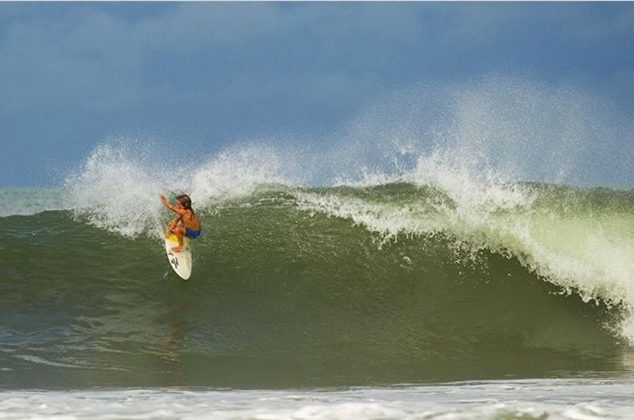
[[381, 284]]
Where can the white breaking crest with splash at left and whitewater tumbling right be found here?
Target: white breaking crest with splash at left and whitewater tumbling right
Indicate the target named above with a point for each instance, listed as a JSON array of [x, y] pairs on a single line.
[[581, 240]]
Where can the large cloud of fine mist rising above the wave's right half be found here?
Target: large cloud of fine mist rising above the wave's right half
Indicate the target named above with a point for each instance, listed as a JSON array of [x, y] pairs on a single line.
[[517, 128]]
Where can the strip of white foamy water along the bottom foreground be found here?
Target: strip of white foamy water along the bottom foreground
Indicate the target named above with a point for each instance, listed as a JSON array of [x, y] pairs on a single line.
[[554, 399]]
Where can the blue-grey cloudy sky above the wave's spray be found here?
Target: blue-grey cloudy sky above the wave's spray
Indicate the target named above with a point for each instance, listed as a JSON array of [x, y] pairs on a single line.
[[199, 77]]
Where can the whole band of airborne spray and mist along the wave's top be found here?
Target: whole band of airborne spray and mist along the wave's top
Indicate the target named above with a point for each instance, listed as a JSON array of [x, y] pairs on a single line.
[[467, 138]]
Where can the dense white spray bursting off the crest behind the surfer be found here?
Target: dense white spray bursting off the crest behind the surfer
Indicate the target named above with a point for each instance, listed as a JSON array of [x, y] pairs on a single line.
[[117, 188]]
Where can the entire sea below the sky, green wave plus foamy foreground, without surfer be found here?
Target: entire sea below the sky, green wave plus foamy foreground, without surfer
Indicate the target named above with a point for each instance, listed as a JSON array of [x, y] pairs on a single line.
[[438, 296]]
